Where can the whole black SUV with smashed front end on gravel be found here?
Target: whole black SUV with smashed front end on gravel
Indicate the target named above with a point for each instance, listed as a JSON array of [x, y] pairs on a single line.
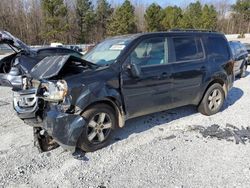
[[77, 103]]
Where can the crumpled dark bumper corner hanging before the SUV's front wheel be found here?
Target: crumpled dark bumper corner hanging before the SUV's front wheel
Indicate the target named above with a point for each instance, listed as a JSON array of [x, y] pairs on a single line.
[[64, 128]]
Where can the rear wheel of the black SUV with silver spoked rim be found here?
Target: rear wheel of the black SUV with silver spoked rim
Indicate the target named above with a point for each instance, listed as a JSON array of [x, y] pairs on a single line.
[[212, 100]]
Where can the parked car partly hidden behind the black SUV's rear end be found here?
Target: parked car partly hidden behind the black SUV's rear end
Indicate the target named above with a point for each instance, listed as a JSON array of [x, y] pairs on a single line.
[[240, 56]]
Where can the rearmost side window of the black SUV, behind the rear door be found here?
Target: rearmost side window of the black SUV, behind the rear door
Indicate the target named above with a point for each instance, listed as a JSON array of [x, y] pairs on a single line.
[[217, 47]]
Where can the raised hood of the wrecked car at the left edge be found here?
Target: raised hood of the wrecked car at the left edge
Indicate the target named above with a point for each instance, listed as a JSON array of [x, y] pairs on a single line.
[[7, 38]]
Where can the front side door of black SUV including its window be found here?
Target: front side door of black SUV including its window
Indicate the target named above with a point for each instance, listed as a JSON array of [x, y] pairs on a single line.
[[151, 92]]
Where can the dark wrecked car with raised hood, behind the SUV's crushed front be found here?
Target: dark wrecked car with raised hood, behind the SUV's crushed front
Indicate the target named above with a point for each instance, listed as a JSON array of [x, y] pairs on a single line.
[[14, 66]]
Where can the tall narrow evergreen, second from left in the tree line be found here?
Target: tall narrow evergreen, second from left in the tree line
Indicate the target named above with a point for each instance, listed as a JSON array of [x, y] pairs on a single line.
[[85, 17]]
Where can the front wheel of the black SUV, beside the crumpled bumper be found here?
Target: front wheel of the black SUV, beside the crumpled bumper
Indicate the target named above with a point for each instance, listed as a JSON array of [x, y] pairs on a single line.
[[100, 124]]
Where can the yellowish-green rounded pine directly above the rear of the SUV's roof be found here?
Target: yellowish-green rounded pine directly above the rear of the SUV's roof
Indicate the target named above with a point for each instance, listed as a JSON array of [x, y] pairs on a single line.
[[209, 17]]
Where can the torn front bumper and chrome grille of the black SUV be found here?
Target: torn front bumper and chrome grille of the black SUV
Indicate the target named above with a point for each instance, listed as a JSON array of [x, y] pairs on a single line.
[[54, 127]]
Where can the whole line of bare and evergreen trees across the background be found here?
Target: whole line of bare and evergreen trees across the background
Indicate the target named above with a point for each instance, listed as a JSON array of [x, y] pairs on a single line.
[[86, 21]]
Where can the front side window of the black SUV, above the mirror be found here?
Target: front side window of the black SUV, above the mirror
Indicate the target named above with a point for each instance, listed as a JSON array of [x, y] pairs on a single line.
[[150, 52]]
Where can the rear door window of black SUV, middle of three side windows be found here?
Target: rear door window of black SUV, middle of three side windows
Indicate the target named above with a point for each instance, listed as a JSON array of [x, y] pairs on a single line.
[[187, 48]]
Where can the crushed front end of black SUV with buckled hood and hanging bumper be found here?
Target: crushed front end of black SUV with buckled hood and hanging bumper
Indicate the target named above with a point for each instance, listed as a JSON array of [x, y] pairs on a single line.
[[45, 103]]
